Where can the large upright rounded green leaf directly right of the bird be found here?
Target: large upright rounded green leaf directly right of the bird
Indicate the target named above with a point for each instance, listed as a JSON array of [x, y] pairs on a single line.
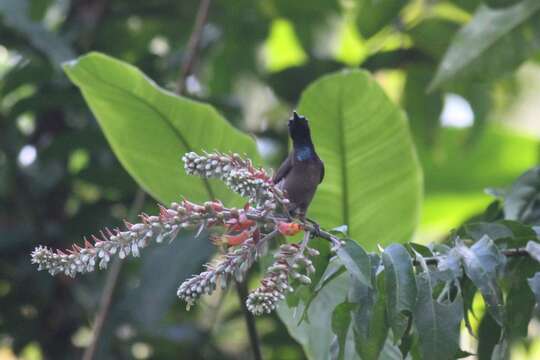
[[373, 180]]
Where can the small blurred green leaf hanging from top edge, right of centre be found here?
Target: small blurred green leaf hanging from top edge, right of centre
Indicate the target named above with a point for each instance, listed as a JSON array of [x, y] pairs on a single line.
[[373, 15]]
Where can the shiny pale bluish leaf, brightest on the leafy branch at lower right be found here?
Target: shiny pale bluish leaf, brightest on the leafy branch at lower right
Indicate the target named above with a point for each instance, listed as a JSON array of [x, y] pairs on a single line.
[[482, 262]]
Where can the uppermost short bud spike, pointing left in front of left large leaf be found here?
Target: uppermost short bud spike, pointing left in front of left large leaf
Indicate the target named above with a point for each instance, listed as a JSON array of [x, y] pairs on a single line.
[[238, 174]]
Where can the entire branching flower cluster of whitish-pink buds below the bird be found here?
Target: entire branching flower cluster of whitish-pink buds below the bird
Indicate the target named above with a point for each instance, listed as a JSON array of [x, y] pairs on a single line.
[[243, 236]]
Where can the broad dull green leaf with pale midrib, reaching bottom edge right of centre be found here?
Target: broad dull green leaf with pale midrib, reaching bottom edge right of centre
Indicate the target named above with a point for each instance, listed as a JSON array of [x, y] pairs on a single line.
[[437, 323]]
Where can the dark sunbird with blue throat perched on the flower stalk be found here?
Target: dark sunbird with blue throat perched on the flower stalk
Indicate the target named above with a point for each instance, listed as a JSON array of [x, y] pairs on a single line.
[[302, 171]]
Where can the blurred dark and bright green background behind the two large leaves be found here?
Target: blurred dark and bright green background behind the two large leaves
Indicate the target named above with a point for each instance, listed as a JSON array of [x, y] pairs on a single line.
[[59, 180]]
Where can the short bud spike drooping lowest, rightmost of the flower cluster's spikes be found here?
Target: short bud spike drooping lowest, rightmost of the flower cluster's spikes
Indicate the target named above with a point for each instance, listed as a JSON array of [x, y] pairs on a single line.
[[289, 262]]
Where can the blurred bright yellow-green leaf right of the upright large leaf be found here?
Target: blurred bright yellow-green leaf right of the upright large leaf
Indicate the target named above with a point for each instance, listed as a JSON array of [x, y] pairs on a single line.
[[456, 174]]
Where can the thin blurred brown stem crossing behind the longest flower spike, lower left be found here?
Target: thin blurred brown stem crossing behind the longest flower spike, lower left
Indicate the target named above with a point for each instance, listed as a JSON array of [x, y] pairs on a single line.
[[110, 285]]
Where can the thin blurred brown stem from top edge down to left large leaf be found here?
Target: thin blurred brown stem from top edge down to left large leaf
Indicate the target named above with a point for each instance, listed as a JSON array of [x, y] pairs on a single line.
[[193, 45]]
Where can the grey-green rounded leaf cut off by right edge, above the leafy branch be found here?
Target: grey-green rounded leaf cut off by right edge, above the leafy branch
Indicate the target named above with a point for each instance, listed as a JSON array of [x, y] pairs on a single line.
[[522, 201]]
